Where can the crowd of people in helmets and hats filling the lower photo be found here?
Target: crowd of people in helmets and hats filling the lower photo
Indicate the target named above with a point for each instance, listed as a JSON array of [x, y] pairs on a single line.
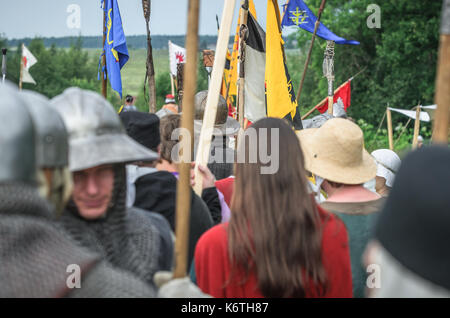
[[87, 191]]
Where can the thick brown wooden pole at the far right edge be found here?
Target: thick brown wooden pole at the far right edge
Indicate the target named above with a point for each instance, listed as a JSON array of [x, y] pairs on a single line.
[[442, 95]]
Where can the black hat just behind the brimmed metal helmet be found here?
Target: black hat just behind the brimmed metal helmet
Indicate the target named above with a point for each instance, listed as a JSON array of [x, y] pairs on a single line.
[[142, 127]]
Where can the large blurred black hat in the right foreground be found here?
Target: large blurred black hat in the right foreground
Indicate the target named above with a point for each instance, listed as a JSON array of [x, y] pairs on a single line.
[[414, 226]]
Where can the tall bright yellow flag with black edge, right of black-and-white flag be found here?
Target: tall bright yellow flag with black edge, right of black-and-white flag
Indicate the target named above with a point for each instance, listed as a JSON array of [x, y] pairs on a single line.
[[280, 94]]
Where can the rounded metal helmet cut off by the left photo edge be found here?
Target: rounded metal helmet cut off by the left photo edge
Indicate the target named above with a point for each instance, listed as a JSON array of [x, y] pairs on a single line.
[[17, 138]]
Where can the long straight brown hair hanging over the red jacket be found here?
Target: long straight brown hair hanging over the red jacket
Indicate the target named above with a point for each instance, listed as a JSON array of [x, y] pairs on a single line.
[[274, 230]]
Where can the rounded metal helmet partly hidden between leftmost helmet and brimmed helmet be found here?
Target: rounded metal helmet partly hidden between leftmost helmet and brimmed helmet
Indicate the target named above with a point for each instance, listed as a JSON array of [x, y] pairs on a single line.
[[52, 145]]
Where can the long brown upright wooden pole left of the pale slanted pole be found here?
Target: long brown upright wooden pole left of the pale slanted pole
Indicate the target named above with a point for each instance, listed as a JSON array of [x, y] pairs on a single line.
[[187, 122]]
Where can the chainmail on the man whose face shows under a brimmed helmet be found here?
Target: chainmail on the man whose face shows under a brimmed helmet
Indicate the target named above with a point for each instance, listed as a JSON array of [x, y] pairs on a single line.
[[127, 240]]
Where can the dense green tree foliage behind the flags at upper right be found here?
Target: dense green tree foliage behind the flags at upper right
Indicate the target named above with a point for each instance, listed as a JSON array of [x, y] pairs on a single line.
[[399, 58]]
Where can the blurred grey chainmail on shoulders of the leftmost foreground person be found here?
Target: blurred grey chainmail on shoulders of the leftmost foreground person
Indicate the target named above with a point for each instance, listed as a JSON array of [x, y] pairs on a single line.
[[35, 254]]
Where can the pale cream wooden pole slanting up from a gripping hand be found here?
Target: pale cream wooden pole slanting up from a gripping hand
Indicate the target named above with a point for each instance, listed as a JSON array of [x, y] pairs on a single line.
[[212, 100]]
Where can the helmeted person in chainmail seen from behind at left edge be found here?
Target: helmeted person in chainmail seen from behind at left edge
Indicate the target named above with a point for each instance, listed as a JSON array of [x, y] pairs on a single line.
[[35, 253]]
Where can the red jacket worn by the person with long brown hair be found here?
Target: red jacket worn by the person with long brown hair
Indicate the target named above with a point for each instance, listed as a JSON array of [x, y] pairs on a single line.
[[212, 264]]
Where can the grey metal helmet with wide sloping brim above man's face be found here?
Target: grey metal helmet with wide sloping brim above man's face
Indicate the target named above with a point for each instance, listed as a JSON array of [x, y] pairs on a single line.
[[96, 133]]
